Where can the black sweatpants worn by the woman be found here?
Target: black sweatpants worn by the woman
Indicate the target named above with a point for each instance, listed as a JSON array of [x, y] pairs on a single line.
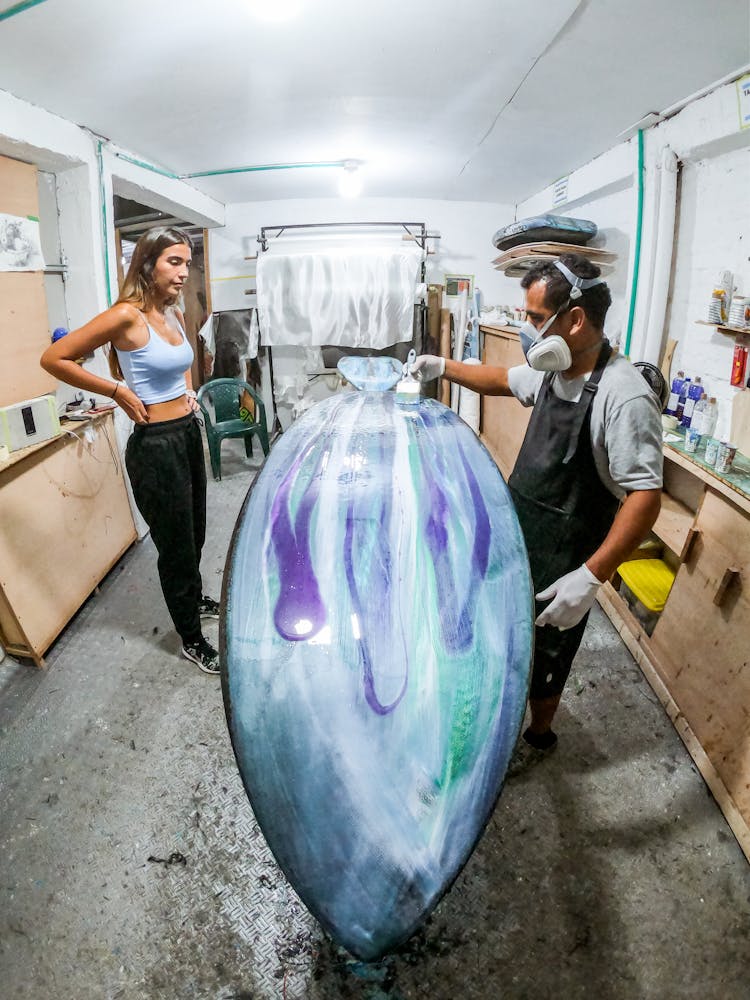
[[168, 476]]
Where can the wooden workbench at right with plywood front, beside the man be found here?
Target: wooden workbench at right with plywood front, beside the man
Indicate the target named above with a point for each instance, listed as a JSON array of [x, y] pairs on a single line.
[[697, 659]]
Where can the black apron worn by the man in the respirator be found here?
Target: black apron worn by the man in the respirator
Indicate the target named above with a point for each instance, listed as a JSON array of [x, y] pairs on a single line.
[[564, 509]]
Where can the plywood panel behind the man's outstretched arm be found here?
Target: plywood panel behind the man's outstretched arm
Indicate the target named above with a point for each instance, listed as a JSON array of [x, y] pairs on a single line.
[[504, 420]]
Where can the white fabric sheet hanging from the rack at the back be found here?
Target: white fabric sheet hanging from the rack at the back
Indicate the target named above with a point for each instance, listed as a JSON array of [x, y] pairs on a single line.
[[344, 297]]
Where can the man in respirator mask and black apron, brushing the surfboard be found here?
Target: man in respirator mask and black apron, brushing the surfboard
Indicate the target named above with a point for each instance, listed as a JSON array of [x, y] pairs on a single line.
[[593, 445]]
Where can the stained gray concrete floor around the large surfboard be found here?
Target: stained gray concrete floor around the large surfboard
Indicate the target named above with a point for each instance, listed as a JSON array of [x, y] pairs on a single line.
[[607, 871]]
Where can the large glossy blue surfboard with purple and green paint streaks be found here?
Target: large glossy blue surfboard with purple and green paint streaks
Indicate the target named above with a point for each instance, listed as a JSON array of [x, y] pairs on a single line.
[[376, 641]]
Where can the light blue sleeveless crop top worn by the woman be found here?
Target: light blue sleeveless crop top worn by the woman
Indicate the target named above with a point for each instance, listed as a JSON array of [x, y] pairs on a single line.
[[156, 371]]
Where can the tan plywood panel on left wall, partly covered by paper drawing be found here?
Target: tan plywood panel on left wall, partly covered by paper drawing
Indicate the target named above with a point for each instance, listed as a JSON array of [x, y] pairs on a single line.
[[24, 326]]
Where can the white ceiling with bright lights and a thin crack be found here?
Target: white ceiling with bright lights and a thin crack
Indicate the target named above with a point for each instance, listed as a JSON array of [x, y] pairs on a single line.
[[486, 100]]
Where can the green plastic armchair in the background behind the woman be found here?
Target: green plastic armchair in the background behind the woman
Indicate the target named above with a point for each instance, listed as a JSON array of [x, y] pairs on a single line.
[[230, 418]]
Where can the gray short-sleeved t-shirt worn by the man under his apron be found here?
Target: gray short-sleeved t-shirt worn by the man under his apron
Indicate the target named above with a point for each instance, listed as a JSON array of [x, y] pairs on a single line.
[[625, 422]]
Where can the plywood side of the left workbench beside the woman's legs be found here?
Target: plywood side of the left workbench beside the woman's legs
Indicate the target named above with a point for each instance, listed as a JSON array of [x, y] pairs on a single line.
[[66, 520]]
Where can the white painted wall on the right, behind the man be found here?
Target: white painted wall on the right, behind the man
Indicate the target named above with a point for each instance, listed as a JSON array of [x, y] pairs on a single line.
[[712, 231]]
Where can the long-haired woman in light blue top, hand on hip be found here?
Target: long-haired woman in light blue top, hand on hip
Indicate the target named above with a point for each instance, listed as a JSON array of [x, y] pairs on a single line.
[[164, 455]]
